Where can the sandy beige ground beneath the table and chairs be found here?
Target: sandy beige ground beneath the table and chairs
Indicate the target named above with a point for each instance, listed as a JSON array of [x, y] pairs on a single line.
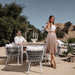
[[63, 67]]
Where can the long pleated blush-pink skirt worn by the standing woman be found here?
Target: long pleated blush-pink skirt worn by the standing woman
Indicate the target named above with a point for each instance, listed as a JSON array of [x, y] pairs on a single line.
[[51, 43]]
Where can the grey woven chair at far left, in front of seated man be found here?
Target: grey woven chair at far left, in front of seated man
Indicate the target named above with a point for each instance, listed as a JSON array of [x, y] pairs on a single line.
[[11, 52]]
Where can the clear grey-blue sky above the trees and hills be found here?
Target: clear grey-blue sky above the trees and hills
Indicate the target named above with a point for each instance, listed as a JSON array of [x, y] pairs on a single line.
[[38, 11]]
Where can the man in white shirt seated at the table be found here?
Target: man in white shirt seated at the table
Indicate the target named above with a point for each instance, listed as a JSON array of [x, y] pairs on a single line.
[[20, 40]]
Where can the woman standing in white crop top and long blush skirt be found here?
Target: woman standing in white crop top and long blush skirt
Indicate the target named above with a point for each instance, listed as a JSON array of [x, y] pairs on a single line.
[[51, 39]]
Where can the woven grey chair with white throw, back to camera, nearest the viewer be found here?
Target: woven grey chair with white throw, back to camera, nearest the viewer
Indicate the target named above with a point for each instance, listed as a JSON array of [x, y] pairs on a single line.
[[34, 55]]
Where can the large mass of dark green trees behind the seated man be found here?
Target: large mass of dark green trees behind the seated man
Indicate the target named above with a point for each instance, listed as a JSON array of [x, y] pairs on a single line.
[[11, 21]]
